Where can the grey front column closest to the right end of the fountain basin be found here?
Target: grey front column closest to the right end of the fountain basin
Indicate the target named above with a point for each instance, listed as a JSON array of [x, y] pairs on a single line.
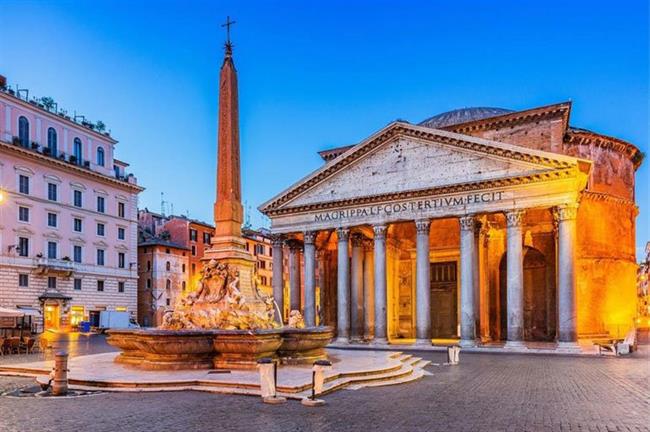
[[343, 286]]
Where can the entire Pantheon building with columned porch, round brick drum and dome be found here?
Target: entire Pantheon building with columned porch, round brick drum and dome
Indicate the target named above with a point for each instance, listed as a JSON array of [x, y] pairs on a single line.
[[483, 224]]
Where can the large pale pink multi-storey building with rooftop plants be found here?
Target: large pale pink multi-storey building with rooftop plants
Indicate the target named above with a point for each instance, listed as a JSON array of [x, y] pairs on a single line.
[[68, 220]]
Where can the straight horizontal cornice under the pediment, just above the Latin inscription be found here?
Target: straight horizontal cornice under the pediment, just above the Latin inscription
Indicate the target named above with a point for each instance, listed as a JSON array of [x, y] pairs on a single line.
[[420, 193]]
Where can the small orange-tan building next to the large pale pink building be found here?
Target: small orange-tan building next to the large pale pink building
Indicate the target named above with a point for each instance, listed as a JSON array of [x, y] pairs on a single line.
[[163, 276]]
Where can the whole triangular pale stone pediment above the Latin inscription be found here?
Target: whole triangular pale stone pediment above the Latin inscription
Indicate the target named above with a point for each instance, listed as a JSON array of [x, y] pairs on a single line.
[[403, 158]]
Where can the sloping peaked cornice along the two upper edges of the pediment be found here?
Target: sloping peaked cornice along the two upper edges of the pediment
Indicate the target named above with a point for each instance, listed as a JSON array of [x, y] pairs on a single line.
[[399, 129]]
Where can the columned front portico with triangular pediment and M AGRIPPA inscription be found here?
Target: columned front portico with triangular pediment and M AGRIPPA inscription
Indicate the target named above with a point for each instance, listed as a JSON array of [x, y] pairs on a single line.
[[424, 234]]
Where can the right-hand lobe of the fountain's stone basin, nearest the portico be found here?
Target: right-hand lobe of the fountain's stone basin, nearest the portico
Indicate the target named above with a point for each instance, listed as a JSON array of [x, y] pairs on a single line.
[[306, 345]]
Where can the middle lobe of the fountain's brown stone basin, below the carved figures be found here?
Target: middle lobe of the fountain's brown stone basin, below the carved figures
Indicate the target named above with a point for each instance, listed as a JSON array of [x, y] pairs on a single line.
[[241, 349]]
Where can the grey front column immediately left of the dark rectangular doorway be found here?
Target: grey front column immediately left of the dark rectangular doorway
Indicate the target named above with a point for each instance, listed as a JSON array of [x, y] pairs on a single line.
[[422, 283]]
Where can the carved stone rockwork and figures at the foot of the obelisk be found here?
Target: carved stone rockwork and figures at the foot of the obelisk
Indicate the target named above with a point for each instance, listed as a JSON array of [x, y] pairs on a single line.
[[218, 303]]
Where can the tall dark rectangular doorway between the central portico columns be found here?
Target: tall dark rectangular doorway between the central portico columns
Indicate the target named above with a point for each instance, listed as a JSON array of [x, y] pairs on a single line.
[[444, 299]]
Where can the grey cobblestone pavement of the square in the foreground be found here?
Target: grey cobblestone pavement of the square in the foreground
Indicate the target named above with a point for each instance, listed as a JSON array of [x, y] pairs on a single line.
[[486, 392]]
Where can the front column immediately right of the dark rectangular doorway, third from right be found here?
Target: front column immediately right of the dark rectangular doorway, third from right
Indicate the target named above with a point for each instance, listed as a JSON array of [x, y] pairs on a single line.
[[467, 281]]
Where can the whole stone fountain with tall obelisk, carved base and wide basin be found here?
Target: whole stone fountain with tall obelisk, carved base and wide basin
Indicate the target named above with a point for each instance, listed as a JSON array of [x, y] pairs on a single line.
[[226, 322]]
